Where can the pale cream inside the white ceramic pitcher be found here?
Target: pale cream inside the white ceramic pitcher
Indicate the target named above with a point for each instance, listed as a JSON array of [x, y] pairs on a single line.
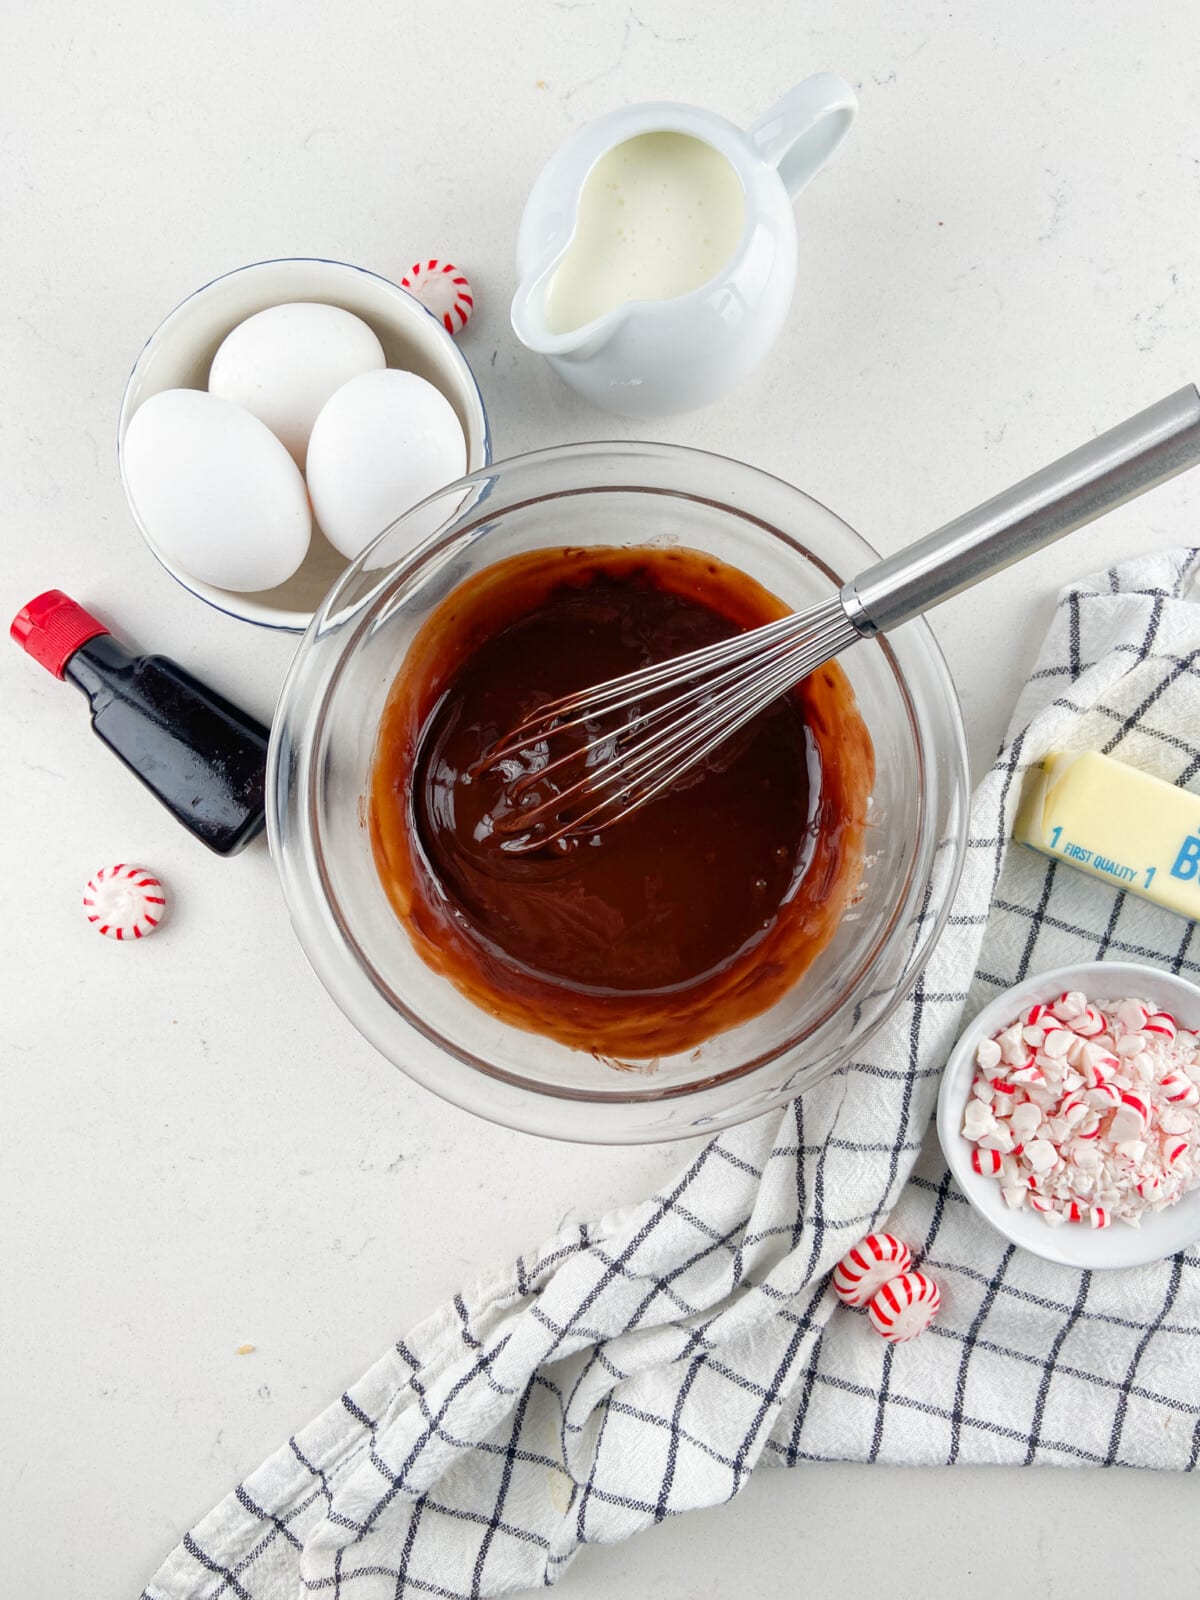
[[660, 215]]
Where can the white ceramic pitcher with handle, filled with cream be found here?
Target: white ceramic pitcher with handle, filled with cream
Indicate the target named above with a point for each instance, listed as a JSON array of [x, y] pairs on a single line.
[[657, 252]]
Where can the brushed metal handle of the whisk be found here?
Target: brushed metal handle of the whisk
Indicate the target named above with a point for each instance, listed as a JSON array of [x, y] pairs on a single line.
[[1127, 462]]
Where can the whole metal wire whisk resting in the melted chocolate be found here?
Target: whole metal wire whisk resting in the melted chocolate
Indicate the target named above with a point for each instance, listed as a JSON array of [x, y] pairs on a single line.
[[593, 759]]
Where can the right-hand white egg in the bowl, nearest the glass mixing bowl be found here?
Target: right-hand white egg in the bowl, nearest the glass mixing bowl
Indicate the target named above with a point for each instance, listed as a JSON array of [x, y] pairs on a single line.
[[382, 444]]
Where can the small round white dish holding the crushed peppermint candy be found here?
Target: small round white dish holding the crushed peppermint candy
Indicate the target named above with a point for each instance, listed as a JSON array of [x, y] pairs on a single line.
[[1074, 1246]]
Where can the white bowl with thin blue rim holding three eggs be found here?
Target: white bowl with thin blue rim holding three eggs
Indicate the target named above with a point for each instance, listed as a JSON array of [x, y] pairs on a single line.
[[182, 351]]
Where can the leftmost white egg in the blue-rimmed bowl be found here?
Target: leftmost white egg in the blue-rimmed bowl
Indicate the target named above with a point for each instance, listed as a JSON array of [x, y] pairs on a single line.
[[217, 492]]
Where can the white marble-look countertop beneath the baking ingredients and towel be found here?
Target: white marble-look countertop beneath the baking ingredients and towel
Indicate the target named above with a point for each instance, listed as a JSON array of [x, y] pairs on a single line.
[[199, 1153]]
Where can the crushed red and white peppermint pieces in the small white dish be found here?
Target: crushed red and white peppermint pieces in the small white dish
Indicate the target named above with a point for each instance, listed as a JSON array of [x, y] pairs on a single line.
[[1089, 1111]]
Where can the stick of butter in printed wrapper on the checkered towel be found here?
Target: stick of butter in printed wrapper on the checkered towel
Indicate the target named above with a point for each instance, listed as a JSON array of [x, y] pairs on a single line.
[[1134, 831]]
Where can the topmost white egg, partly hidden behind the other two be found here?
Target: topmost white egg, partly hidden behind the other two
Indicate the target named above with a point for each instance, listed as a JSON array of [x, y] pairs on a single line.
[[286, 362]]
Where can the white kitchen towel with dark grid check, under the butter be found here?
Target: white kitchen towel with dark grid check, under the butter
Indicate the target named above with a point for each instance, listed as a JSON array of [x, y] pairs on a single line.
[[647, 1364]]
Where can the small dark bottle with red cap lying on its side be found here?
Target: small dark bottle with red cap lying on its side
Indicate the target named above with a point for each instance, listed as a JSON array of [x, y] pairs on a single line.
[[196, 751]]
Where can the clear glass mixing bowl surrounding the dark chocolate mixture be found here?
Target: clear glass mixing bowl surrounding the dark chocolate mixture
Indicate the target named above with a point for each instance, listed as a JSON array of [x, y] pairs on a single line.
[[324, 745]]
